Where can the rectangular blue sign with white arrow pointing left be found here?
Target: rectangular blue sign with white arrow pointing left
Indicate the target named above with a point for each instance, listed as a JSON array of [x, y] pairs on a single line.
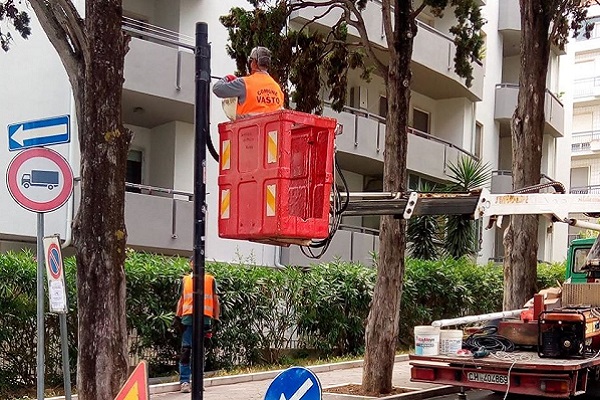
[[41, 132]]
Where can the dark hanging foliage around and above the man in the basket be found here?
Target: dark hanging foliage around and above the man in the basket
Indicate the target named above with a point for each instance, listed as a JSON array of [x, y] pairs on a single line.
[[311, 61]]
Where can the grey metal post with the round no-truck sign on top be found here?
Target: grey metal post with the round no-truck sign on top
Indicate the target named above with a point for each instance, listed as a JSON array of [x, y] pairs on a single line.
[[40, 180]]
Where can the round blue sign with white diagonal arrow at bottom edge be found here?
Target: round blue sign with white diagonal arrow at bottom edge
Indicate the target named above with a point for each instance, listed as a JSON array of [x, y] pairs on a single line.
[[296, 383]]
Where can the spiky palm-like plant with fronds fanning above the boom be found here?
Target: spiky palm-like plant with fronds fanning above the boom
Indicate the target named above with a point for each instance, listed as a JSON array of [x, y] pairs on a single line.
[[467, 174]]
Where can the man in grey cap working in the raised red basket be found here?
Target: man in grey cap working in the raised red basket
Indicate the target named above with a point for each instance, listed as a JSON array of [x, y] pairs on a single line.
[[256, 93]]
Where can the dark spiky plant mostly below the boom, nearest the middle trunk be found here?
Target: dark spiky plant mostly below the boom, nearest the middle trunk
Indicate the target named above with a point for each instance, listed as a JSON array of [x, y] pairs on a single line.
[[424, 233]]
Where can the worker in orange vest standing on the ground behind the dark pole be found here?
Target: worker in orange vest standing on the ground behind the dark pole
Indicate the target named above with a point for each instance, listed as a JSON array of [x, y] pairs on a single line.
[[185, 308]]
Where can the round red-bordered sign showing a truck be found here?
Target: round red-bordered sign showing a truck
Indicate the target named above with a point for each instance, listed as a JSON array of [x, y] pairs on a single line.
[[39, 179]]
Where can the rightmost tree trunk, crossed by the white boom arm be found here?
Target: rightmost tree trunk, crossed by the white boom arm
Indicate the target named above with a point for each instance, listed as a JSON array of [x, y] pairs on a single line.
[[527, 128]]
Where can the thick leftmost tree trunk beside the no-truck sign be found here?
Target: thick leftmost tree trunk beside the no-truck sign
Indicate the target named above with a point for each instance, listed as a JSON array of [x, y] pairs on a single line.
[[99, 227]]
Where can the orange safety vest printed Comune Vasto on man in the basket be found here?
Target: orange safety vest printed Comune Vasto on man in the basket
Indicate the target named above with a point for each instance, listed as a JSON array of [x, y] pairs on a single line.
[[263, 95]]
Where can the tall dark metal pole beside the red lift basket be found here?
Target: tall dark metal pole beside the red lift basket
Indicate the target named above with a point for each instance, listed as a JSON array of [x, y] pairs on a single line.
[[201, 133]]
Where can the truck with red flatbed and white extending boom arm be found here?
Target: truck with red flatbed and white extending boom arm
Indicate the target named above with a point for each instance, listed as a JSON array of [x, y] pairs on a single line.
[[560, 348]]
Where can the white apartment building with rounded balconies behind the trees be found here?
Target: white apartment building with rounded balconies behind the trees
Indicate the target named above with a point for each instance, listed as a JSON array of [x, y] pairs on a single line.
[[448, 121]]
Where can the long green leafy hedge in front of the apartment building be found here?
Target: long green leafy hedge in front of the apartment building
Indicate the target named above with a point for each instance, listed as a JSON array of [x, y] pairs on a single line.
[[264, 311]]
